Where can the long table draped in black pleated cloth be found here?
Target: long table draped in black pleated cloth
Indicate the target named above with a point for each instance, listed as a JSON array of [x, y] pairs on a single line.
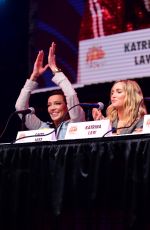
[[86, 184]]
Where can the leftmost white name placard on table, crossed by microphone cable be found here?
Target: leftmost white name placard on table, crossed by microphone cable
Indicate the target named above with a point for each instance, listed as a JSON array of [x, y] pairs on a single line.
[[38, 135]]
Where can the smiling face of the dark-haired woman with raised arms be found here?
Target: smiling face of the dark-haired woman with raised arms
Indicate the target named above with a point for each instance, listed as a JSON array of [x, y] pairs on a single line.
[[57, 108]]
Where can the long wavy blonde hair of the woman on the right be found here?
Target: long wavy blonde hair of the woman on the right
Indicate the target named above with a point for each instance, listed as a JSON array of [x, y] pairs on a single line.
[[134, 107]]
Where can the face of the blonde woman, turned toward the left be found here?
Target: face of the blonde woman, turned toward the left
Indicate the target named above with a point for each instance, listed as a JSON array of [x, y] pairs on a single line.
[[118, 95]]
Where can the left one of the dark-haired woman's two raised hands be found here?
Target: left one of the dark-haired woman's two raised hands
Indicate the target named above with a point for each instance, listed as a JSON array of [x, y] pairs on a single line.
[[38, 68]]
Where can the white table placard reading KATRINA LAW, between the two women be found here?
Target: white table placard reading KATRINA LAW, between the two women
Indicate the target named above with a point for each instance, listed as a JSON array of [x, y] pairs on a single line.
[[88, 129]]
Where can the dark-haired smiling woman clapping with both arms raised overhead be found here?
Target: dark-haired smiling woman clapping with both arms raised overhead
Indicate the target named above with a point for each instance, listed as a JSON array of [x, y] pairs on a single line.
[[59, 102]]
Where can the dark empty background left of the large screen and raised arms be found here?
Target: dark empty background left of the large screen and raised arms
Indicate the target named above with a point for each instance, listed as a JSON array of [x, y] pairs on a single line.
[[14, 38]]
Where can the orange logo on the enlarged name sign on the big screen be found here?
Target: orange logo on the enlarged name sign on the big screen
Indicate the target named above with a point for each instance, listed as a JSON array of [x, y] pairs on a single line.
[[94, 56]]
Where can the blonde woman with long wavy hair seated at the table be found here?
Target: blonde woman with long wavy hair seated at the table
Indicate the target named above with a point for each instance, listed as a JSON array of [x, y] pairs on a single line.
[[127, 108]]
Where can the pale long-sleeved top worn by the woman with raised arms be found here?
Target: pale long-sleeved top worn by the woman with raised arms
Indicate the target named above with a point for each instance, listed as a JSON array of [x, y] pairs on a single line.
[[33, 122]]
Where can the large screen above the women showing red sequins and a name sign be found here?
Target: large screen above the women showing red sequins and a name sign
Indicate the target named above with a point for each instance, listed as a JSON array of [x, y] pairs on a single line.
[[97, 40]]
